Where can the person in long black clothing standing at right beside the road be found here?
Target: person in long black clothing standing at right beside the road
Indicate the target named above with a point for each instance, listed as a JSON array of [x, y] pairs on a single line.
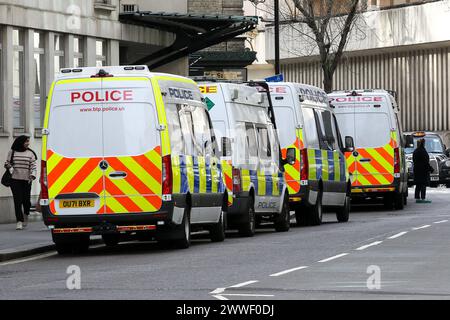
[[422, 170]]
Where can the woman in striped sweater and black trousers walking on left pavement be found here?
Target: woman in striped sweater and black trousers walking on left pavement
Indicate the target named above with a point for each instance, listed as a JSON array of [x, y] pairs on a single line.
[[21, 162]]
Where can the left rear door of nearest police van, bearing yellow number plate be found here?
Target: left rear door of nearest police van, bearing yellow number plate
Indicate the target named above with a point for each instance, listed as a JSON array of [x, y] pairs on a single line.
[[74, 148]]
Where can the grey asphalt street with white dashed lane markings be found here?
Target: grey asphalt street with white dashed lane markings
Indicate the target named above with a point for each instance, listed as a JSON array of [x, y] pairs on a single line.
[[333, 261]]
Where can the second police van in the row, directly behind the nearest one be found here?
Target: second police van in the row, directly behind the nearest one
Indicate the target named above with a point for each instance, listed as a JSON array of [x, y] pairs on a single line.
[[240, 114]]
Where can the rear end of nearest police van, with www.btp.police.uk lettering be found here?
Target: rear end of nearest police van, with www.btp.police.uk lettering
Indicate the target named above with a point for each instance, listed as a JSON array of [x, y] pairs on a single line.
[[102, 160]]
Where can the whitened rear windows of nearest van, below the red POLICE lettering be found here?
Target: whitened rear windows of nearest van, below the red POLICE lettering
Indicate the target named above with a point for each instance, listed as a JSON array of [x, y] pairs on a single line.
[[87, 131]]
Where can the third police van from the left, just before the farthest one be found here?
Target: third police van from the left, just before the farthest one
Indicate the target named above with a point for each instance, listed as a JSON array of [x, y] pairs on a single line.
[[318, 179]]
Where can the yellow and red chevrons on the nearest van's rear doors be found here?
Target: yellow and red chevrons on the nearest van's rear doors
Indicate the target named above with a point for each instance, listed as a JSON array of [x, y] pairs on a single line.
[[139, 191]]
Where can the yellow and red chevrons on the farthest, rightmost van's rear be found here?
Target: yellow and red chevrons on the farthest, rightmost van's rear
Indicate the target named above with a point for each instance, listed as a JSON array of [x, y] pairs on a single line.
[[379, 170]]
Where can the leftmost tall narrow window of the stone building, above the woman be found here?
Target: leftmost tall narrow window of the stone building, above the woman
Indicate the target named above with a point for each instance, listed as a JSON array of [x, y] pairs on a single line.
[[18, 82]]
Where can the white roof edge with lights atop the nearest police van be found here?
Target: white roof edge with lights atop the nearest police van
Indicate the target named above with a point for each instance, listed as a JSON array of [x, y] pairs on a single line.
[[116, 71]]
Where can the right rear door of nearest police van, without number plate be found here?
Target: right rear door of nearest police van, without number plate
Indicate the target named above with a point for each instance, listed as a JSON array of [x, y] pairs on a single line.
[[131, 147]]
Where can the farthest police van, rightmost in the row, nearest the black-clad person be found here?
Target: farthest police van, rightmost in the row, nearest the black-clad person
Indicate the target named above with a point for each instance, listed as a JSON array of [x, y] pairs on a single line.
[[377, 165]]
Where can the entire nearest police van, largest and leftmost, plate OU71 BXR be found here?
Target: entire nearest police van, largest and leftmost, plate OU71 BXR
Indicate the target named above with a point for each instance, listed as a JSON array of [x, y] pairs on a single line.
[[127, 152]]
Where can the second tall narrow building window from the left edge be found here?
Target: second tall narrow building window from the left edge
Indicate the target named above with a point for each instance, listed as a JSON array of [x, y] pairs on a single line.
[[39, 80]]
